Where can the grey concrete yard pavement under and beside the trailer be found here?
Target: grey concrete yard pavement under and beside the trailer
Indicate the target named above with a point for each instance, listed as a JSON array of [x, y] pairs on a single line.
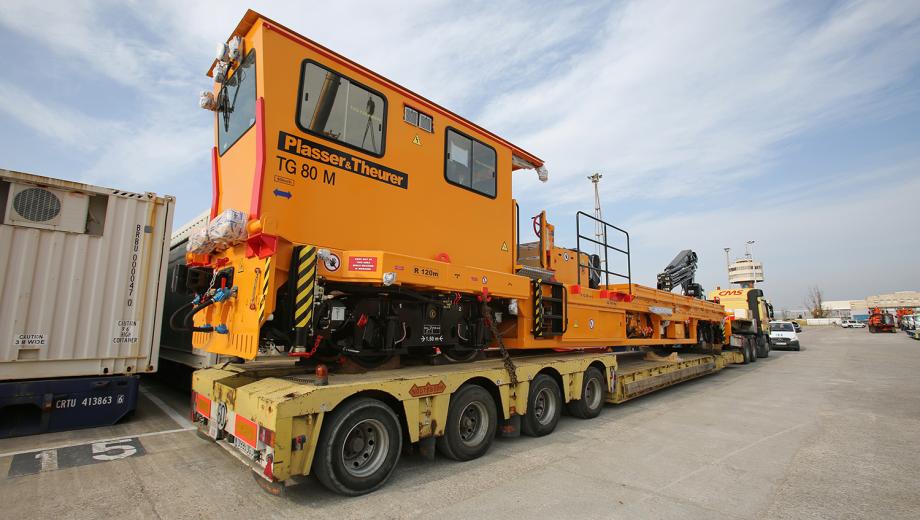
[[831, 431]]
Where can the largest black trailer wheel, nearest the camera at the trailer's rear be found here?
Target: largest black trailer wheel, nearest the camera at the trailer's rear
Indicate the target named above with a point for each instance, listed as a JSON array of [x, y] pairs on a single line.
[[358, 448]]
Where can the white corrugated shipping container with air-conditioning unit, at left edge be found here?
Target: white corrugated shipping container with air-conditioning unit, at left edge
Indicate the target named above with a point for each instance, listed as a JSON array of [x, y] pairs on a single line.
[[82, 276]]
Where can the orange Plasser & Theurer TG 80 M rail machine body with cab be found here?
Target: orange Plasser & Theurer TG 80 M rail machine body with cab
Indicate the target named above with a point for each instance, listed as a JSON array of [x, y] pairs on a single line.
[[347, 178]]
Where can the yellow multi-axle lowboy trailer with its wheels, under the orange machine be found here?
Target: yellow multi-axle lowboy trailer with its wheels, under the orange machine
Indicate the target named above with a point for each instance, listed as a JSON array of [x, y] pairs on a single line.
[[348, 429]]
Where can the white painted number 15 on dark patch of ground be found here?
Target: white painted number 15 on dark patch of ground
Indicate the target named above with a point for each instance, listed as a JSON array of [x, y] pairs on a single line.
[[73, 456]]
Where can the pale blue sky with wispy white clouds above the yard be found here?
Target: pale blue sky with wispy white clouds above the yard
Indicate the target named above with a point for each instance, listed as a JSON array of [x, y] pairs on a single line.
[[794, 124]]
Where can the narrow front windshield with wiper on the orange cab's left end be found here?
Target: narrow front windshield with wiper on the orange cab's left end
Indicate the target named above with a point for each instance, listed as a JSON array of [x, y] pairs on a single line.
[[237, 104]]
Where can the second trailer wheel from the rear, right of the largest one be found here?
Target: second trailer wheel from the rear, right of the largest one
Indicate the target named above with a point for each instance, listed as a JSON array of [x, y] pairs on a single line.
[[471, 424]]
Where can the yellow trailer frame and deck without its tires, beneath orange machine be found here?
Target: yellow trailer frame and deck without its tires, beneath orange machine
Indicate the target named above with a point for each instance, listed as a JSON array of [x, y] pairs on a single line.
[[273, 412]]
